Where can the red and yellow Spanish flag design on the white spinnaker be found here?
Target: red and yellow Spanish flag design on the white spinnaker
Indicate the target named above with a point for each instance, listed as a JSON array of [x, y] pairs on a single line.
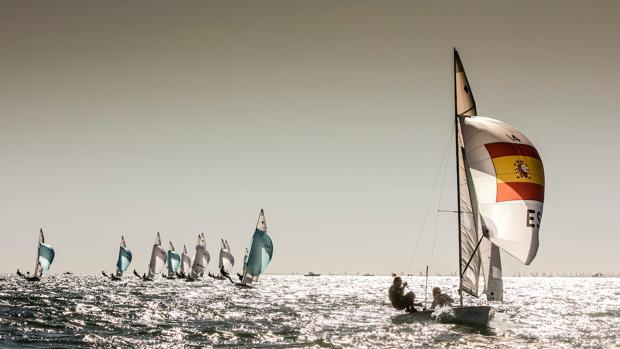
[[519, 171]]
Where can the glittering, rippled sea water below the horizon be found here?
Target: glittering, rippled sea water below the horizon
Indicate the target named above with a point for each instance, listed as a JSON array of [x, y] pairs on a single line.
[[288, 311]]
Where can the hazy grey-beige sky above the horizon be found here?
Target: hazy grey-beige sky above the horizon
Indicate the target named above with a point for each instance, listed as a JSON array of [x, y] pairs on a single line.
[[186, 117]]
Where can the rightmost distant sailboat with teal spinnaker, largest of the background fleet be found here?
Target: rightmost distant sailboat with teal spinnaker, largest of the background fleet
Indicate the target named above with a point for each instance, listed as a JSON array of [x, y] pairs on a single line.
[[260, 254]]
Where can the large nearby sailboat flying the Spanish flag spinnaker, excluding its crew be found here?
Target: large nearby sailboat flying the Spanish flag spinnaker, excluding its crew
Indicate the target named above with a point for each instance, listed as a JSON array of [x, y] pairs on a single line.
[[501, 183]]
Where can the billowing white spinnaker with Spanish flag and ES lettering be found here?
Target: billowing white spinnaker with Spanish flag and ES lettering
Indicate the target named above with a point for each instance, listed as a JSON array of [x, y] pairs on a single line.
[[509, 179]]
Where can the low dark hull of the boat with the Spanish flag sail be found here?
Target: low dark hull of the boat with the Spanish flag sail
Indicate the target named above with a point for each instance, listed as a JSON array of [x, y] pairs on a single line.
[[468, 315]]
